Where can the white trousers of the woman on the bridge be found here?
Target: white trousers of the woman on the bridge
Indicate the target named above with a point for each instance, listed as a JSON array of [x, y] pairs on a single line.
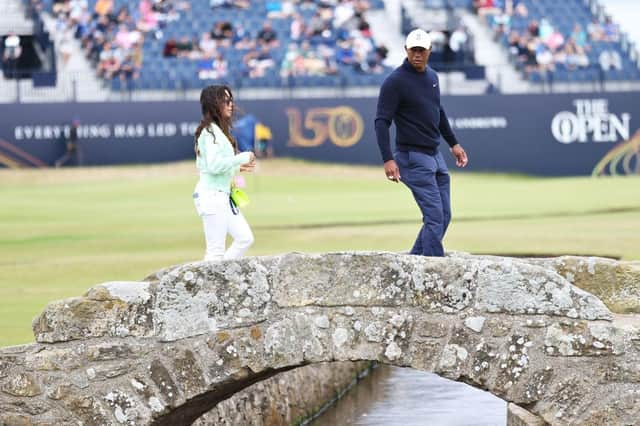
[[219, 220]]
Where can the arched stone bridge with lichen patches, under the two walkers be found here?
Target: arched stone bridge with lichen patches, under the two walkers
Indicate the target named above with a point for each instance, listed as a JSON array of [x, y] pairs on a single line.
[[165, 350]]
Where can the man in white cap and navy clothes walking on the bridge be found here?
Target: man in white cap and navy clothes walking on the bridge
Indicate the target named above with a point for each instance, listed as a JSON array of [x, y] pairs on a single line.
[[410, 97]]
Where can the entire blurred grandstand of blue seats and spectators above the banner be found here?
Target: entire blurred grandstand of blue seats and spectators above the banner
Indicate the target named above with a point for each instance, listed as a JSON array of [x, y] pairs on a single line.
[[104, 50]]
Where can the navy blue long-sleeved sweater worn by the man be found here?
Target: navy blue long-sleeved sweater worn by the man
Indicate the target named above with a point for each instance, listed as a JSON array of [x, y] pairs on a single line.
[[412, 100]]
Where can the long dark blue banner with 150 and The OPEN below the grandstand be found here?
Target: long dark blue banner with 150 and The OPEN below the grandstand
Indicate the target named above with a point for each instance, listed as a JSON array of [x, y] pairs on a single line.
[[552, 135]]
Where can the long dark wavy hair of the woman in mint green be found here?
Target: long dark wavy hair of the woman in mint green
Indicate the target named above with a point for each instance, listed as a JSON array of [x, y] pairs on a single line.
[[212, 101]]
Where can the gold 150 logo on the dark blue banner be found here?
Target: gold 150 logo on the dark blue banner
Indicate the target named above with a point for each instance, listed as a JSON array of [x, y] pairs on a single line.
[[342, 125]]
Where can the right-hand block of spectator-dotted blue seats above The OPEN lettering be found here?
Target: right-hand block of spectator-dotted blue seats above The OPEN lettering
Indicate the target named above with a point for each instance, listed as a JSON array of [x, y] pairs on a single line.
[[566, 42]]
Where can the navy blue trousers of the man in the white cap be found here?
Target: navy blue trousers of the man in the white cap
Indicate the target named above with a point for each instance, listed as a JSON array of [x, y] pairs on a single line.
[[427, 177]]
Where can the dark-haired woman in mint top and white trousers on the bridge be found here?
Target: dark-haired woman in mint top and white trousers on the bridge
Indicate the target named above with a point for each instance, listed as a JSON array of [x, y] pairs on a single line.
[[218, 163]]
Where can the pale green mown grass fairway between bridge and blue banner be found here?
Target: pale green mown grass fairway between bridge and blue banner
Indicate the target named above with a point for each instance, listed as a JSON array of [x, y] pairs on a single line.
[[63, 231]]
